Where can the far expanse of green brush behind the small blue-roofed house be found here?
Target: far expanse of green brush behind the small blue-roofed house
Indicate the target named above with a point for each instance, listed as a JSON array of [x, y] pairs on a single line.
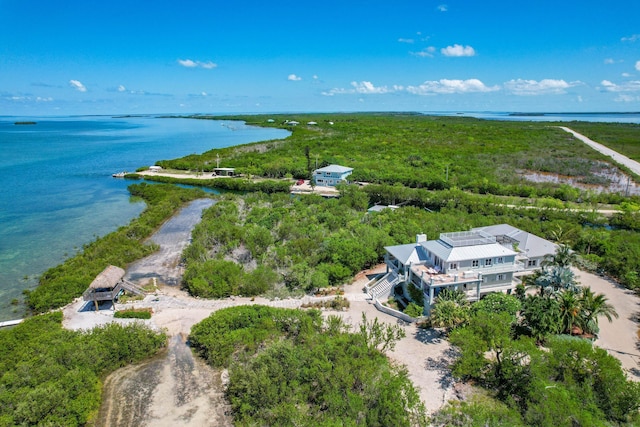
[[436, 153]]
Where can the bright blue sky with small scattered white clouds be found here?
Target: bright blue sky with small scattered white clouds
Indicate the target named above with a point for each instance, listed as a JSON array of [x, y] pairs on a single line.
[[117, 57]]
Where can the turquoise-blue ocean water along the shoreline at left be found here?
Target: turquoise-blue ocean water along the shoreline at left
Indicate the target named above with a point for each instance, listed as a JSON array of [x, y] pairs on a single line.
[[57, 190]]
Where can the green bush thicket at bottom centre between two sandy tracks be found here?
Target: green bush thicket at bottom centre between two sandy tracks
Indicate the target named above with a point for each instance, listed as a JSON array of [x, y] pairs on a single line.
[[292, 367]]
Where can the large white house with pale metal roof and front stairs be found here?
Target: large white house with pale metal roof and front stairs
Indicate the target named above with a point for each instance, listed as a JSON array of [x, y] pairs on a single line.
[[479, 261]]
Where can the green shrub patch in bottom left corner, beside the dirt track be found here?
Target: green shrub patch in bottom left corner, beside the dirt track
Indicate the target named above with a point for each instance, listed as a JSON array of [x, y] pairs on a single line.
[[53, 376]]
